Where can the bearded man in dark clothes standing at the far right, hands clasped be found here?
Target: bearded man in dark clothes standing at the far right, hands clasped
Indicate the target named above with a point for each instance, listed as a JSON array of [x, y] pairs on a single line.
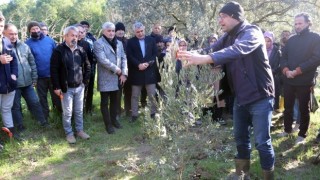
[[301, 57]]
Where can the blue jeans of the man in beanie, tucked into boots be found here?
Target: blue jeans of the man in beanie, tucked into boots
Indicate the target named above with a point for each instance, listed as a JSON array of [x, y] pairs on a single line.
[[256, 115]]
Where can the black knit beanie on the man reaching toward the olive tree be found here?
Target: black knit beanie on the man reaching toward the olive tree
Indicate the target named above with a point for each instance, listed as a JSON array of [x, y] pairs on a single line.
[[234, 10]]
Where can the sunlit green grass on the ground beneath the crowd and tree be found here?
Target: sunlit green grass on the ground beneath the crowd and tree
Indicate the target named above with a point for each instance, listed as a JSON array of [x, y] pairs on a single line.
[[204, 152]]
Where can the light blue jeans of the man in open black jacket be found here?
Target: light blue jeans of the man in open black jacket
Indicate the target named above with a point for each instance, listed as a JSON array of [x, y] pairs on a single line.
[[72, 103]]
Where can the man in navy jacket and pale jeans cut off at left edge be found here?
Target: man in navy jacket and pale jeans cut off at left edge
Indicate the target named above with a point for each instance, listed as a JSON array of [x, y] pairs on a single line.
[[8, 78]]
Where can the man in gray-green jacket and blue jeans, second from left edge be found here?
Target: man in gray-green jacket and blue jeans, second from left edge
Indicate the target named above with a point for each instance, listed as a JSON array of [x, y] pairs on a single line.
[[27, 78]]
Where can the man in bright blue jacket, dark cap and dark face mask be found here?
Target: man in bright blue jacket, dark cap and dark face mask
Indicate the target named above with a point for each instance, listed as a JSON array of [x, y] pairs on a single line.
[[41, 48]]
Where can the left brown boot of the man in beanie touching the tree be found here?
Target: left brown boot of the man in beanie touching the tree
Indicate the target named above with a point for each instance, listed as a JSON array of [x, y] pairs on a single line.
[[242, 169]]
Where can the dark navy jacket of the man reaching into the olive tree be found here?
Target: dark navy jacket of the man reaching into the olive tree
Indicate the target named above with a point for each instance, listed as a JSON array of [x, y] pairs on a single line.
[[247, 65]]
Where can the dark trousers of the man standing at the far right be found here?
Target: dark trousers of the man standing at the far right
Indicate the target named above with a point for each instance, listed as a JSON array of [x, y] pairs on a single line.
[[302, 93]]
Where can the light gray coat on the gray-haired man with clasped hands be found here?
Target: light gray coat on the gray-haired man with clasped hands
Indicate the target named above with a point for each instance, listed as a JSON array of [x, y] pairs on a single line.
[[109, 63]]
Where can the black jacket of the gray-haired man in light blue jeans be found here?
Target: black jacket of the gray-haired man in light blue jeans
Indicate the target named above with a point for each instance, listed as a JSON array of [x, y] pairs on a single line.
[[58, 66]]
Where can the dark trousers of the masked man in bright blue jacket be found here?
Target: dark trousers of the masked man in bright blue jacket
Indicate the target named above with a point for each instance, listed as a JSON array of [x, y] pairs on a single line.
[[43, 86]]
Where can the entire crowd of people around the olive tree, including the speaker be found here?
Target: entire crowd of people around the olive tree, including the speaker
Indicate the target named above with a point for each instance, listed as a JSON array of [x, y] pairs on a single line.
[[259, 75]]
